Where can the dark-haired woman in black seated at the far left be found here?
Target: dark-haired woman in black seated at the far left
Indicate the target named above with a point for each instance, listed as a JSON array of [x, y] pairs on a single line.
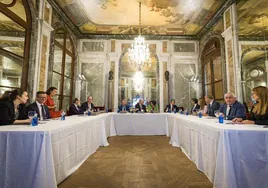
[[11, 110]]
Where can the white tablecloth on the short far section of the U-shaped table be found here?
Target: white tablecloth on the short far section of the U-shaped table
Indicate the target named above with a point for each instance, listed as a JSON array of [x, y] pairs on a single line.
[[140, 124]]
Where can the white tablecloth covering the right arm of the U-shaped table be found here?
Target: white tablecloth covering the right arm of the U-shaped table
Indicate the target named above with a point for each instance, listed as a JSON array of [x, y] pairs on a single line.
[[233, 156]]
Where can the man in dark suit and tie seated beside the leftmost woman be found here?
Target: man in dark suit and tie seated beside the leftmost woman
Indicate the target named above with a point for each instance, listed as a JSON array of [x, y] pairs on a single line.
[[39, 106]]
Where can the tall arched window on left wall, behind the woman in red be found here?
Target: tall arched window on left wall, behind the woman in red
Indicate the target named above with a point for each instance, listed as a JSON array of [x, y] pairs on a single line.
[[63, 66]]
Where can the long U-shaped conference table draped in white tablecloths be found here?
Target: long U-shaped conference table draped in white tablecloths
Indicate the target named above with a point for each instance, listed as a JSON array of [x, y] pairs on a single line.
[[45, 155]]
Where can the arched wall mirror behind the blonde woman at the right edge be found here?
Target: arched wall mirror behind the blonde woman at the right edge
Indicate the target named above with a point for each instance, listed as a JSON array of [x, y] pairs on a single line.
[[253, 71]]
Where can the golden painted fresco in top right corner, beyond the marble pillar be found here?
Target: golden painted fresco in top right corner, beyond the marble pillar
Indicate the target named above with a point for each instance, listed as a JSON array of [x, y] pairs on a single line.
[[253, 17]]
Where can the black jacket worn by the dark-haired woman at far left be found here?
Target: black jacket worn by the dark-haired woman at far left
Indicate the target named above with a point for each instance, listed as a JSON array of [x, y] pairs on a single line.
[[7, 112]]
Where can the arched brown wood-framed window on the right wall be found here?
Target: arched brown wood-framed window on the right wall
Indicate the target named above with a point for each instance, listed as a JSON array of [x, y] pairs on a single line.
[[212, 70]]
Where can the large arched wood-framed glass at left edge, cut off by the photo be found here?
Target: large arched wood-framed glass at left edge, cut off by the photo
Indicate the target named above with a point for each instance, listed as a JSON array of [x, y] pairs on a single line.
[[15, 26]]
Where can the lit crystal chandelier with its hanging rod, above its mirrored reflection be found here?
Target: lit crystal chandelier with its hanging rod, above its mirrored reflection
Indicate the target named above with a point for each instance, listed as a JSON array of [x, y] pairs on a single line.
[[139, 53]]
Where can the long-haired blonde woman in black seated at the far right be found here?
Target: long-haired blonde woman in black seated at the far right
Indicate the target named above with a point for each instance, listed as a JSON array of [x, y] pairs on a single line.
[[259, 112]]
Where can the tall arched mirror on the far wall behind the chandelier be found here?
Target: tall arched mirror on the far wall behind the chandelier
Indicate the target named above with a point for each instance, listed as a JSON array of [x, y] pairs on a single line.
[[126, 89]]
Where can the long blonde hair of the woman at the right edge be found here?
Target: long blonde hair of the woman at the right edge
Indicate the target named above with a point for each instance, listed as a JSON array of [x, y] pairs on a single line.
[[261, 107]]
